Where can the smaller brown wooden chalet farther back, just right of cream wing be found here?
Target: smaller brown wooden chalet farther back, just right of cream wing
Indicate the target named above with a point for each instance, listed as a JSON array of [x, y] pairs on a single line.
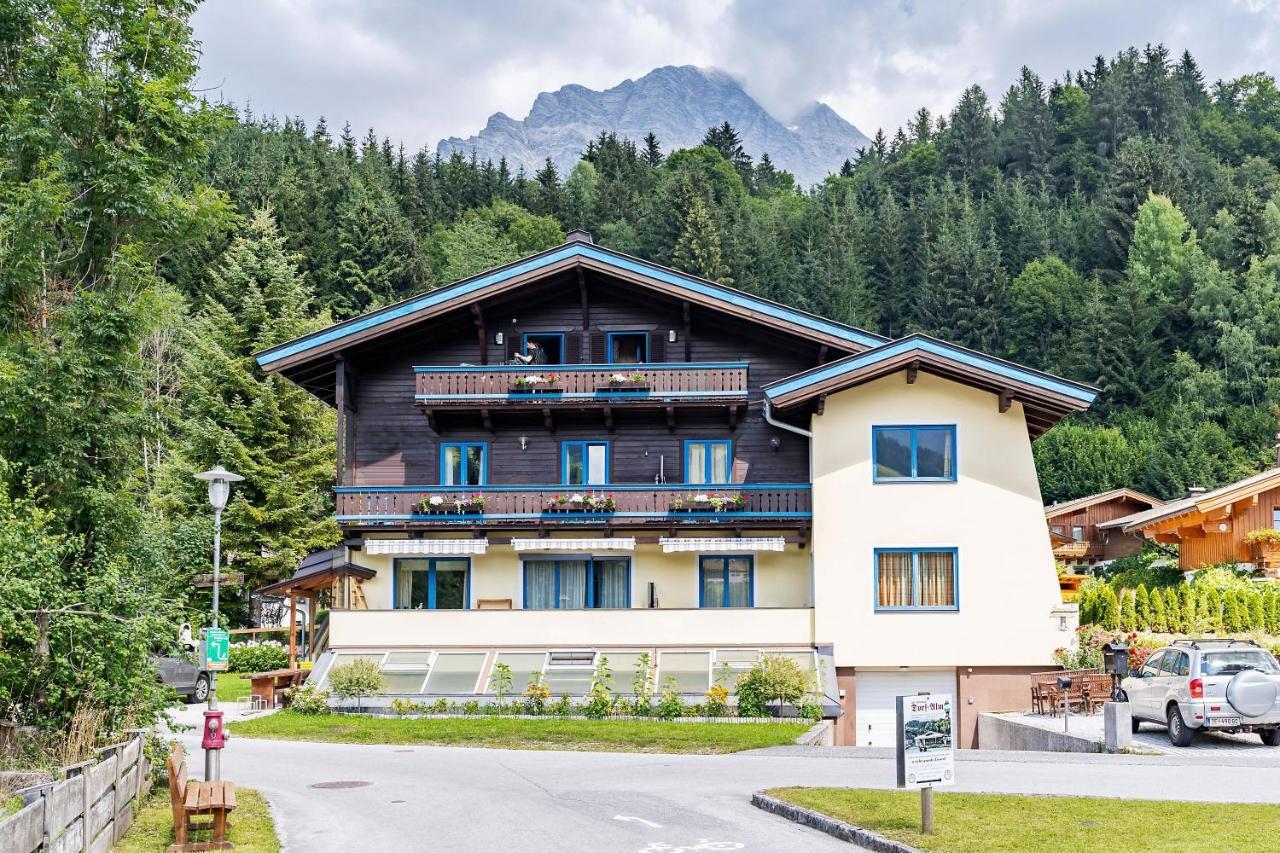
[[1084, 533]]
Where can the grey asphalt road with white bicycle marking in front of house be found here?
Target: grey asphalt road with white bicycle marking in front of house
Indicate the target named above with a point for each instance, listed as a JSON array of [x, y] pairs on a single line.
[[437, 799]]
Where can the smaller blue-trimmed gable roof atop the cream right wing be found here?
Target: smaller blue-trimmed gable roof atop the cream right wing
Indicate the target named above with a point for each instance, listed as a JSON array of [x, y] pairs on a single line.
[[1046, 399]]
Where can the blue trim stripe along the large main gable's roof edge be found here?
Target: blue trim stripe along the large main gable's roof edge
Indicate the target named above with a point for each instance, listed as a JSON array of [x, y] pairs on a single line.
[[547, 259]]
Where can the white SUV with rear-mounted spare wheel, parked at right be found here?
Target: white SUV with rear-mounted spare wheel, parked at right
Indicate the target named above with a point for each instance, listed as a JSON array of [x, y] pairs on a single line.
[[1208, 685]]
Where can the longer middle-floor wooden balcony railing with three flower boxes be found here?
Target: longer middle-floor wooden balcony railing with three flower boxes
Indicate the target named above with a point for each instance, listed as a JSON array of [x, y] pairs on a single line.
[[554, 505]]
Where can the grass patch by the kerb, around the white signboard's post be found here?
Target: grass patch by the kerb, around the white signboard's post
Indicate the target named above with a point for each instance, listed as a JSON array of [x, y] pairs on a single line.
[[985, 823]]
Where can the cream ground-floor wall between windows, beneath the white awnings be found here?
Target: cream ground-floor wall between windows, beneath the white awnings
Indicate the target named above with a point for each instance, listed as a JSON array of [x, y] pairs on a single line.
[[781, 578]]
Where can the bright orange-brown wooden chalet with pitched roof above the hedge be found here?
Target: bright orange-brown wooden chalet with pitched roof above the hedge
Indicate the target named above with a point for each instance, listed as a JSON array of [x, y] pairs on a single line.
[[1235, 524]]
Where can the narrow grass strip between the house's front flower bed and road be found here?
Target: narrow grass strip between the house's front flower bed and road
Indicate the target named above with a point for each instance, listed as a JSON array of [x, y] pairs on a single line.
[[605, 736]]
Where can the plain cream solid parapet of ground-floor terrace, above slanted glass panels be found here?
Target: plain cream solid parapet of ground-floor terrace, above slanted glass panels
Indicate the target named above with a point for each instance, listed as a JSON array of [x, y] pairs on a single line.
[[633, 627]]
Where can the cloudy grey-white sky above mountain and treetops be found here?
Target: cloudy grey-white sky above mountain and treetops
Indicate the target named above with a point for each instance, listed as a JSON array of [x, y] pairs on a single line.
[[423, 70]]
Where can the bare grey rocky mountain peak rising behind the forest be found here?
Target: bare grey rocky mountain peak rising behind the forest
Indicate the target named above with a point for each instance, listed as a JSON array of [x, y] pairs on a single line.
[[678, 103]]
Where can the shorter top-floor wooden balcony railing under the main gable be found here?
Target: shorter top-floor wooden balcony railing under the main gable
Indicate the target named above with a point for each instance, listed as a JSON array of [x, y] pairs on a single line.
[[669, 384]]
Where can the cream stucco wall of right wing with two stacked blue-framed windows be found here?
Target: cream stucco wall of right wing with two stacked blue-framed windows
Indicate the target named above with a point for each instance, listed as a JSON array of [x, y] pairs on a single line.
[[993, 514]]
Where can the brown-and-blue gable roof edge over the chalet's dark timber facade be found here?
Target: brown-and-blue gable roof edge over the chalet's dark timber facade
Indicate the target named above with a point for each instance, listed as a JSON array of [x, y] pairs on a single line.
[[566, 257]]
